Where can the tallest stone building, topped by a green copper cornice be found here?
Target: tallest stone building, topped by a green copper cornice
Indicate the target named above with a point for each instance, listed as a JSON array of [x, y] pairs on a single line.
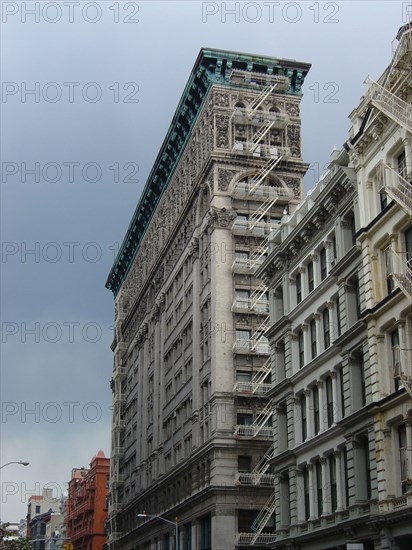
[[191, 420]]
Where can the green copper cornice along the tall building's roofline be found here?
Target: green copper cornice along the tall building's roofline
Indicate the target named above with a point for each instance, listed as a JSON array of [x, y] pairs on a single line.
[[211, 67]]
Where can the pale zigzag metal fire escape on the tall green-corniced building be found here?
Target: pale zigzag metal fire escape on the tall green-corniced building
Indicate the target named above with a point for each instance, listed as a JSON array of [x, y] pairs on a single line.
[[255, 189]]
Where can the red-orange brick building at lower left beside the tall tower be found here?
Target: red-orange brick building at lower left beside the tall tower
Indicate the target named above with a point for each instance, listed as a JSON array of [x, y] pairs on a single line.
[[87, 504]]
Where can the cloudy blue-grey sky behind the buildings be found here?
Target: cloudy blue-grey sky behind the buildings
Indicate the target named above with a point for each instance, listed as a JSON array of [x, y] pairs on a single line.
[[88, 92]]
